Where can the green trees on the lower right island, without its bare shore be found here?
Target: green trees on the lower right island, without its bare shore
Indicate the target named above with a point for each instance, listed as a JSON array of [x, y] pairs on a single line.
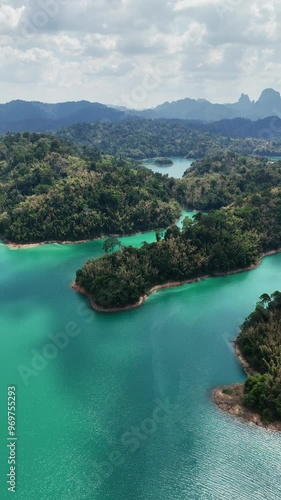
[[260, 344]]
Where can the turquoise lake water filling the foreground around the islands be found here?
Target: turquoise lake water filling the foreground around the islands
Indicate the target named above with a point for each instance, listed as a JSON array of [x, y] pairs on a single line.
[[84, 418]]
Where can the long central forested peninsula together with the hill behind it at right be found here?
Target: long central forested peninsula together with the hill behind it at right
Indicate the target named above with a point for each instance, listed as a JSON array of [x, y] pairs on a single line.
[[228, 240]]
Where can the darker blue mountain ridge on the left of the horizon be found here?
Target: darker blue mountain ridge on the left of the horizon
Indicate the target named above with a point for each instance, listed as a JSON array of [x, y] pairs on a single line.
[[19, 116]]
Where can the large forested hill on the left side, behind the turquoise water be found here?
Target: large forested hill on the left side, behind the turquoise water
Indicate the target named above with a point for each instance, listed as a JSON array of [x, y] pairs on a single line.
[[51, 191]]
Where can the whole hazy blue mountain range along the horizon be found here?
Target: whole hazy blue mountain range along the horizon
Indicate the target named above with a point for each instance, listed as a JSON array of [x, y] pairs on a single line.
[[18, 116]]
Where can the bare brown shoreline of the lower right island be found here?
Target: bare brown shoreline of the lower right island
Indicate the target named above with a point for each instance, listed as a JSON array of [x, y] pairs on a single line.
[[229, 399]]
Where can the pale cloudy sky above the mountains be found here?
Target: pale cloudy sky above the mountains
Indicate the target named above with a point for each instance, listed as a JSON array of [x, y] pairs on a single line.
[[138, 53]]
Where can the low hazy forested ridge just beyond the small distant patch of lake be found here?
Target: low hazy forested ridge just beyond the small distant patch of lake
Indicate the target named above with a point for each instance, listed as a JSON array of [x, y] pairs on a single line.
[[141, 139]]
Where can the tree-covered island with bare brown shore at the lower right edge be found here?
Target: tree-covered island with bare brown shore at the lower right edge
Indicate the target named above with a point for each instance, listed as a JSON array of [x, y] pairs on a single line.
[[258, 347]]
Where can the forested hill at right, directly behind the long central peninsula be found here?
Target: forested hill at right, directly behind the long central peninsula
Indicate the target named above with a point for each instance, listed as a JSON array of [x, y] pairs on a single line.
[[217, 181]]
